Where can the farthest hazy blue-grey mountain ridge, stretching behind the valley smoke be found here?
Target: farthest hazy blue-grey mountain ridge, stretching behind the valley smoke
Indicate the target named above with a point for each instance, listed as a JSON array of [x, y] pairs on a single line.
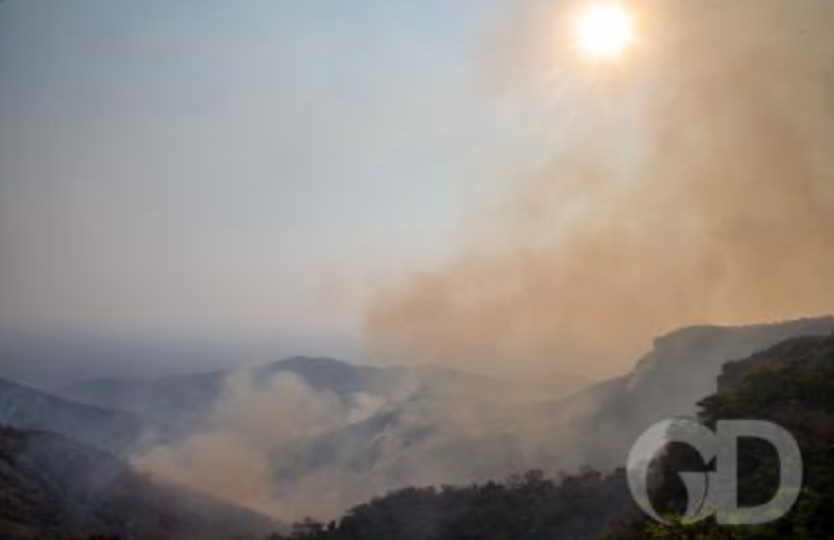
[[184, 400]]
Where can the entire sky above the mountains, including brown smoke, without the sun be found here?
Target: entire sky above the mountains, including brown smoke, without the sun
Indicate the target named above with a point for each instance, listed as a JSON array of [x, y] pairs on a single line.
[[395, 181]]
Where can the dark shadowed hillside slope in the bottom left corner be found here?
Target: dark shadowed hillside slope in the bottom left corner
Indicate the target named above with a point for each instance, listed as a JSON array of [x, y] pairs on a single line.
[[52, 488]]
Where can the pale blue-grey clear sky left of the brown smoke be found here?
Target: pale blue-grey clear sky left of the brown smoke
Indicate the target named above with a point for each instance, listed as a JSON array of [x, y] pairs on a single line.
[[241, 170]]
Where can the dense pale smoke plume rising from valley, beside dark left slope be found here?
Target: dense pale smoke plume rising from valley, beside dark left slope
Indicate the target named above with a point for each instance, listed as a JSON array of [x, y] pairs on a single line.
[[248, 434]]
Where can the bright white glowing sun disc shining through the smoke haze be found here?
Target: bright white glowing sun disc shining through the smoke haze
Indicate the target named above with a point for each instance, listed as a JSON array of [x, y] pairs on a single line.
[[604, 30]]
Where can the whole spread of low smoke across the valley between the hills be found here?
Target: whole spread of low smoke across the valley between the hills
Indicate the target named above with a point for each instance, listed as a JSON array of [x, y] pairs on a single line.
[[290, 450]]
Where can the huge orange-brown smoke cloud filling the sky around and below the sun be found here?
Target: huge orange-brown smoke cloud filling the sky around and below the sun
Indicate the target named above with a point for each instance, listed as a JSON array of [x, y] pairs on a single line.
[[693, 183]]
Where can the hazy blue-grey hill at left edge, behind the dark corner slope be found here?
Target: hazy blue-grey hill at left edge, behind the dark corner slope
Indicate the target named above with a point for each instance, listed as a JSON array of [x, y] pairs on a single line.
[[117, 432]]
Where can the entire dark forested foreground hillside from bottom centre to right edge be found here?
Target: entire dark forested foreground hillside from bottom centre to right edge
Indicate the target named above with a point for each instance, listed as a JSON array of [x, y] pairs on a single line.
[[791, 384]]
